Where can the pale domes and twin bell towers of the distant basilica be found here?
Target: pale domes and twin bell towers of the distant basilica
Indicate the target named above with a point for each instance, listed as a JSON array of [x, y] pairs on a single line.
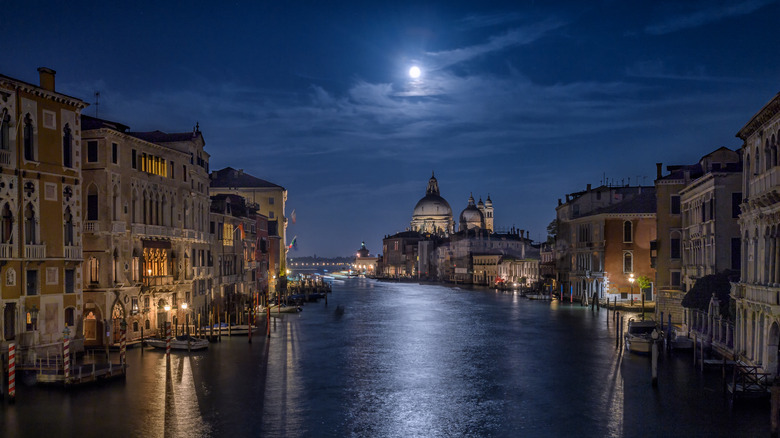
[[433, 215]]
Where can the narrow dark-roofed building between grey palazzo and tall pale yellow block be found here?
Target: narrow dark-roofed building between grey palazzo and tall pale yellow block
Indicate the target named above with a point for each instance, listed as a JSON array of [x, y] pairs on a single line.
[[233, 224]]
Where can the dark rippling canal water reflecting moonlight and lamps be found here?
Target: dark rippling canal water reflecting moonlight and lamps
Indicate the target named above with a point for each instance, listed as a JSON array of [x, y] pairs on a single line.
[[402, 360]]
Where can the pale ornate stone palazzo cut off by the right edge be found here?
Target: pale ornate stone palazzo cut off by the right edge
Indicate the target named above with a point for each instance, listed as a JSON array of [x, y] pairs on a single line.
[[757, 294]]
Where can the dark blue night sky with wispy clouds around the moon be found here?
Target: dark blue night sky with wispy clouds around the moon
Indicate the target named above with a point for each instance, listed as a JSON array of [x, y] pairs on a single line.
[[525, 101]]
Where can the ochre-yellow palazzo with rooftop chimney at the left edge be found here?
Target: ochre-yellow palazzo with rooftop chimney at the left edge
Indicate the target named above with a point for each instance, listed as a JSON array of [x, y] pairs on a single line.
[[40, 216]]
